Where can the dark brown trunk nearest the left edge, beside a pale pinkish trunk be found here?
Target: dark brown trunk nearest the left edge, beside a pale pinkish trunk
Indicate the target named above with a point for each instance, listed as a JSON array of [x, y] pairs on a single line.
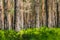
[[5, 14]]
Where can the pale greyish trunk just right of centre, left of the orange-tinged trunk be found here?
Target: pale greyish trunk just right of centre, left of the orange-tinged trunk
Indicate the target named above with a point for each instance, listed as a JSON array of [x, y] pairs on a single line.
[[37, 10]]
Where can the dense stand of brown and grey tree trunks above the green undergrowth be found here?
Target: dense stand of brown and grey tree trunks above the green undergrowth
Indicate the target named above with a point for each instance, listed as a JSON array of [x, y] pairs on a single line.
[[22, 14]]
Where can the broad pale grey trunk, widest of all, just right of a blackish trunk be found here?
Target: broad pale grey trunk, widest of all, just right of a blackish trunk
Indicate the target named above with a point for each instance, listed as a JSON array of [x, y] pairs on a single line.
[[19, 15]]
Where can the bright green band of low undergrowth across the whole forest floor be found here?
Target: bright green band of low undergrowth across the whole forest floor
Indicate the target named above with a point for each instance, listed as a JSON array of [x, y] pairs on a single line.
[[31, 34]]
